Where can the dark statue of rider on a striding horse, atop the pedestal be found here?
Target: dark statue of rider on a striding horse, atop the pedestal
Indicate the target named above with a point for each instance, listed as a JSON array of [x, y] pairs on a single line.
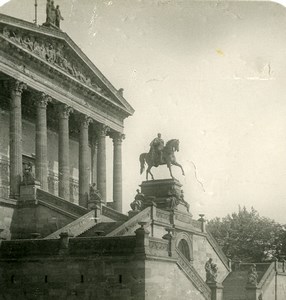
[[160, 155]]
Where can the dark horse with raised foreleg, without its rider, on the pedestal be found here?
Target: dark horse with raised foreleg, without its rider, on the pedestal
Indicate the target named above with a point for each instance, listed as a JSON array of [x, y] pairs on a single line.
[[169, 159]]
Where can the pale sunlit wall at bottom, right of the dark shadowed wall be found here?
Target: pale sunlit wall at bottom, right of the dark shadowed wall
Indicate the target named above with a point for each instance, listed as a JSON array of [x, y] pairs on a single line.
[[164, 280]]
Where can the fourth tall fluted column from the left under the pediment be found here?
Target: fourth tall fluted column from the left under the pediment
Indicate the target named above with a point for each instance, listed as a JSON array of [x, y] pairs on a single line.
[[84, 168]]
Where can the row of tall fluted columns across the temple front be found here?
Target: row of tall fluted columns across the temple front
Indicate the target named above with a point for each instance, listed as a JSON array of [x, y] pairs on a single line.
[[98, 150]]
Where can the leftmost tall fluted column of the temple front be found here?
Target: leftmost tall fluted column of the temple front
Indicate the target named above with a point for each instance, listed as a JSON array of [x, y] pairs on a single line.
[[17, 89]]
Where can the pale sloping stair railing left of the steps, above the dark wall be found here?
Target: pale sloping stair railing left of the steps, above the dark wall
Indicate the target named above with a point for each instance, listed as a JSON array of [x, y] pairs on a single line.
[[76, 227]]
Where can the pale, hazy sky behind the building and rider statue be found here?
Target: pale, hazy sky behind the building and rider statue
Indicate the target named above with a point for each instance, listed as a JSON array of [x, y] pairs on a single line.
[[212, 74]]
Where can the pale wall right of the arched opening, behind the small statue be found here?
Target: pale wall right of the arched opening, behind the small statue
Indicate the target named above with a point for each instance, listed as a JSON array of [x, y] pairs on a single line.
[[202, 251]]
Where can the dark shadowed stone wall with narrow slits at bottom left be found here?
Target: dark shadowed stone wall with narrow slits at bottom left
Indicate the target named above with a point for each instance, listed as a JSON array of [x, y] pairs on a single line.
[[107, 270]]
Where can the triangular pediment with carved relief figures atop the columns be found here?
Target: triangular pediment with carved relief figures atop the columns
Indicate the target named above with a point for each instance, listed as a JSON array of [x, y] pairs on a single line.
[[56, 48]]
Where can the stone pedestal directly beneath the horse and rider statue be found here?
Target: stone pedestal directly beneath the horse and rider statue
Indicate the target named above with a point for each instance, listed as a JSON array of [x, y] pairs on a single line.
[[165, 193]]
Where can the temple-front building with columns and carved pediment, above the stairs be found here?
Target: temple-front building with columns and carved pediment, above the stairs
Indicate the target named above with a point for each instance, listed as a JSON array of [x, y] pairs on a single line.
[[57, 110]]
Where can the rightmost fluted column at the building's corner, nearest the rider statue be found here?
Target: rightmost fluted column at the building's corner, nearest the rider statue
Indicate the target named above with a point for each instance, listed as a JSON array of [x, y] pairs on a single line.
[[117, 170]]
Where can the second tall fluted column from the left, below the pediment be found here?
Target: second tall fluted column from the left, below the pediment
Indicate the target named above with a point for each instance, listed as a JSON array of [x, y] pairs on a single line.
[[41, 168]]
